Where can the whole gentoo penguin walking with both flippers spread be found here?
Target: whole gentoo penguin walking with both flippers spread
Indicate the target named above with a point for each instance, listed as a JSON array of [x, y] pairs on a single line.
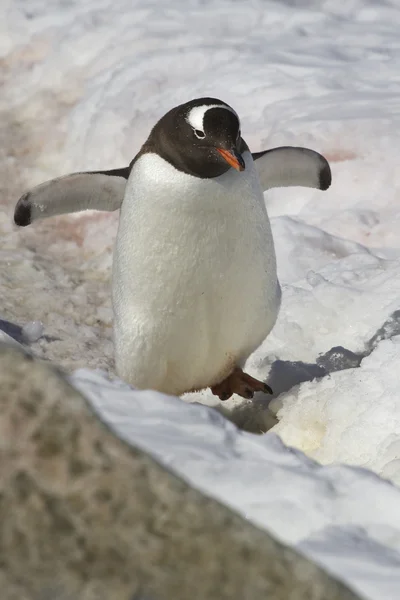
[[194, 283]]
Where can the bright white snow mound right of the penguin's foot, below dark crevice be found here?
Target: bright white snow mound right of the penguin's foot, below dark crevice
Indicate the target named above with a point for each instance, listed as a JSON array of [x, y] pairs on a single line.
[[350, 416]]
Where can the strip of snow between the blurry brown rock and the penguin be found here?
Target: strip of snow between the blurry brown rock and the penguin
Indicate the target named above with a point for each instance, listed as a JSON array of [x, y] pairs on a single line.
[[346, 519]]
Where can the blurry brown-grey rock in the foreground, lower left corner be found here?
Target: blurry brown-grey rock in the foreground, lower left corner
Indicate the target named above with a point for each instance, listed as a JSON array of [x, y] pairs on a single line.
[[84, 516]]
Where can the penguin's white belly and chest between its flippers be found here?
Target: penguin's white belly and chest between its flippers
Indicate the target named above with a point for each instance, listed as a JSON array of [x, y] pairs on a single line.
[[195, 287]]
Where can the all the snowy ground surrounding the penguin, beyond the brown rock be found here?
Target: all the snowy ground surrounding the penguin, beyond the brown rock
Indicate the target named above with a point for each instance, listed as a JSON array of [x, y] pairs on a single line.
[[82, 85]]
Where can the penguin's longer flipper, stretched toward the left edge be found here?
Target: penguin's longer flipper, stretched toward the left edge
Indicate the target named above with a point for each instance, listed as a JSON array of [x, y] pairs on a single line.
[[97, 190]]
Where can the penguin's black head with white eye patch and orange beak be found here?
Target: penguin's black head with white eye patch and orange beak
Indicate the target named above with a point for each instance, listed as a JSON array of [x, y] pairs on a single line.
[[201, 137]]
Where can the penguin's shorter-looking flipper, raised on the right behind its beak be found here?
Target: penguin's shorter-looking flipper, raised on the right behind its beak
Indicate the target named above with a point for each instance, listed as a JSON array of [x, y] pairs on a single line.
[[289, 166]]
